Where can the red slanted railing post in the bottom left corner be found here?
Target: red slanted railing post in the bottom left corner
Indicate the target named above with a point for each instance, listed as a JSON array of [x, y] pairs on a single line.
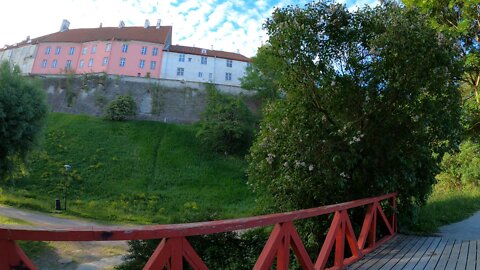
[[12, 256]]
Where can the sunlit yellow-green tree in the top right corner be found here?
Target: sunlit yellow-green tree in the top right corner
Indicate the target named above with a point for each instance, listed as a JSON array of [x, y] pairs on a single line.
[[460, 20]]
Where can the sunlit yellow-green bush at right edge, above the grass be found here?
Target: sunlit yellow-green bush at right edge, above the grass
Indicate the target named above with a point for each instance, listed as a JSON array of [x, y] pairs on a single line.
[[462, 169]]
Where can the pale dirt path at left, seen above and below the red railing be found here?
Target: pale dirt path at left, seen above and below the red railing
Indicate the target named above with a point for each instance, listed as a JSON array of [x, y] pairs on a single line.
[[70, 255]]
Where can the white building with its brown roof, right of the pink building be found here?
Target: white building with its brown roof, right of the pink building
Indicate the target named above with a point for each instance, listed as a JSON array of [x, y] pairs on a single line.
[[202, 65]]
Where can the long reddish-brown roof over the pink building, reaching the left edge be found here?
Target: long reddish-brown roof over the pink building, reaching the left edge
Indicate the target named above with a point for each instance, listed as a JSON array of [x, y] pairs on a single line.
[[138, 33]]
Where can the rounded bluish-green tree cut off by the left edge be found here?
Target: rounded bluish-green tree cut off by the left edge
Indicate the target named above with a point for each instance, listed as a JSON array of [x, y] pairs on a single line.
[[23, 111]]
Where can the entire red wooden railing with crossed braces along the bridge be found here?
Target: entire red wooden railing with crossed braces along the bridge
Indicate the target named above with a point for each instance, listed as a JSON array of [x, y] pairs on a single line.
[[175, 248]]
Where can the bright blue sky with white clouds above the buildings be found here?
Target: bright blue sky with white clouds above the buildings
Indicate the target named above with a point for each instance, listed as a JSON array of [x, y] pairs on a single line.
[[228, 25]]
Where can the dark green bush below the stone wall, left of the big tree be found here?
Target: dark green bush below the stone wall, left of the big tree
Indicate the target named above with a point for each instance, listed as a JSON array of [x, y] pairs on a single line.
[[227, 125]]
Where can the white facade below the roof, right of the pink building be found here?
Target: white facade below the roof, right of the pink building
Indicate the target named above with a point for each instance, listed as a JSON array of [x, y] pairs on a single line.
[[213, 71]]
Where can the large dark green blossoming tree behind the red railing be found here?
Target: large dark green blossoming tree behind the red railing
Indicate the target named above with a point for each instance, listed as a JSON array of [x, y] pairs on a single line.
[[372, 104]]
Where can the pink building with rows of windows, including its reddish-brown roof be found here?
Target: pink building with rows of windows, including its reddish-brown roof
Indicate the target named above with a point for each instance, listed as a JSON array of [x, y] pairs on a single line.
[[129, 51]]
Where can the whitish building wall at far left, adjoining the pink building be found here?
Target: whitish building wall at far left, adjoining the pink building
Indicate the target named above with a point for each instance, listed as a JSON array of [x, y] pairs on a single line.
[[23, 56]]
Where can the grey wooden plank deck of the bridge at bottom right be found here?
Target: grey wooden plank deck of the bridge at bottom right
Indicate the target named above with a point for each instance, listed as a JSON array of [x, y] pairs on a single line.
[[413, 252]]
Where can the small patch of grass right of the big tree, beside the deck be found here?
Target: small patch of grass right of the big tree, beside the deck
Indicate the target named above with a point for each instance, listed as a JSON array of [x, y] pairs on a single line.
[[445, 207]]
